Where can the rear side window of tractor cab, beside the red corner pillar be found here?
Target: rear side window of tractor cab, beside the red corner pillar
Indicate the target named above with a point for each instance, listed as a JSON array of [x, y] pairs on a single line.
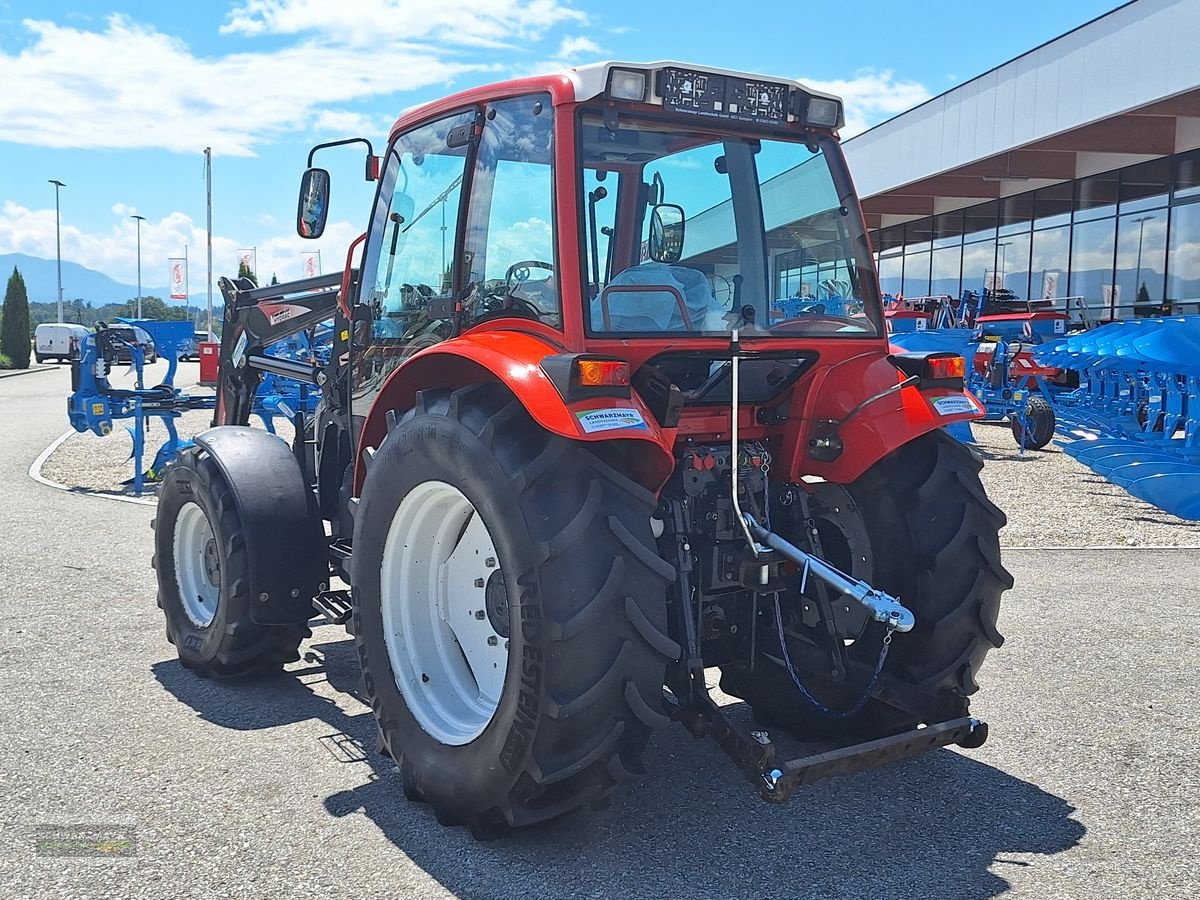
[[511, 231]]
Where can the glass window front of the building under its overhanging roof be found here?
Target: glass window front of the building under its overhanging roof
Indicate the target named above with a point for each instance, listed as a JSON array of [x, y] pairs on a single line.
[[1125, 243]]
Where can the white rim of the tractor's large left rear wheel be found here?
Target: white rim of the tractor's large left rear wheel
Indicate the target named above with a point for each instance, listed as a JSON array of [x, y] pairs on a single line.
[[447, 655]]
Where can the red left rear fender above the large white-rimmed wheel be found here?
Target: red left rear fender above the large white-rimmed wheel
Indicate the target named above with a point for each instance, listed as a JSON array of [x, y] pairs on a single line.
[[514, 359]]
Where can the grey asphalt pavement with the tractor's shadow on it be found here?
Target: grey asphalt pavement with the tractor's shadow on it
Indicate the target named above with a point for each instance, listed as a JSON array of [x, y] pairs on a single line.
[[1088, 788]]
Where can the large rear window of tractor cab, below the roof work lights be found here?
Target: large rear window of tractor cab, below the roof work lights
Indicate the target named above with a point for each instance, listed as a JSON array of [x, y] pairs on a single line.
[[689, 231]]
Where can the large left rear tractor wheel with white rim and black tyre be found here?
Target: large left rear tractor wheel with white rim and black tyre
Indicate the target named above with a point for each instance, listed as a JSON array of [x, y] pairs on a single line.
[[509, 611]]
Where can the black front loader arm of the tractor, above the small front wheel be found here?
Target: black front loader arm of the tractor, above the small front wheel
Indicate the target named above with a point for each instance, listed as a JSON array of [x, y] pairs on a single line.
[[255, 320]]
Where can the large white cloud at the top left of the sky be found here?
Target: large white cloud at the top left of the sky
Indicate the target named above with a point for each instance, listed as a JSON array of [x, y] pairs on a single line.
[[130, 86]]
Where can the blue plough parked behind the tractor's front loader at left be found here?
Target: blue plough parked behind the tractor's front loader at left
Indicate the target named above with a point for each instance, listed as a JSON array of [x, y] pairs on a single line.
[[95, 404]]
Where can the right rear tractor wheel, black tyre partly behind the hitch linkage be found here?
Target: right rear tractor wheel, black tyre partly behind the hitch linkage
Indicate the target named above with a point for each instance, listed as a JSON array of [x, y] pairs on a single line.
[[920, 526]]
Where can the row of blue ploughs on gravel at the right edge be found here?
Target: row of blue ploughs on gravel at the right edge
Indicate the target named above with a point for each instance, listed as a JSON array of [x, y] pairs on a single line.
[[1136, 416]]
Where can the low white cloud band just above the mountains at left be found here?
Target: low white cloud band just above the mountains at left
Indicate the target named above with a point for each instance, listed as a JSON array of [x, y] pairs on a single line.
[[115, 251]]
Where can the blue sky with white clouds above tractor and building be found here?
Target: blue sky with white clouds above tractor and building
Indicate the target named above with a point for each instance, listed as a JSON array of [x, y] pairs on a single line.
[[118, 99]]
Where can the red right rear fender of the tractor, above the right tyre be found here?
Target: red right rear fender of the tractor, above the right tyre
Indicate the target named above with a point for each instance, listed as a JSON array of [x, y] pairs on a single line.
[[877, 430]]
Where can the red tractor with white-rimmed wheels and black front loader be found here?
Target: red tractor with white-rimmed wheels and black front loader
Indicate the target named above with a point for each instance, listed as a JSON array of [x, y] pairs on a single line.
[[566, 460]]
